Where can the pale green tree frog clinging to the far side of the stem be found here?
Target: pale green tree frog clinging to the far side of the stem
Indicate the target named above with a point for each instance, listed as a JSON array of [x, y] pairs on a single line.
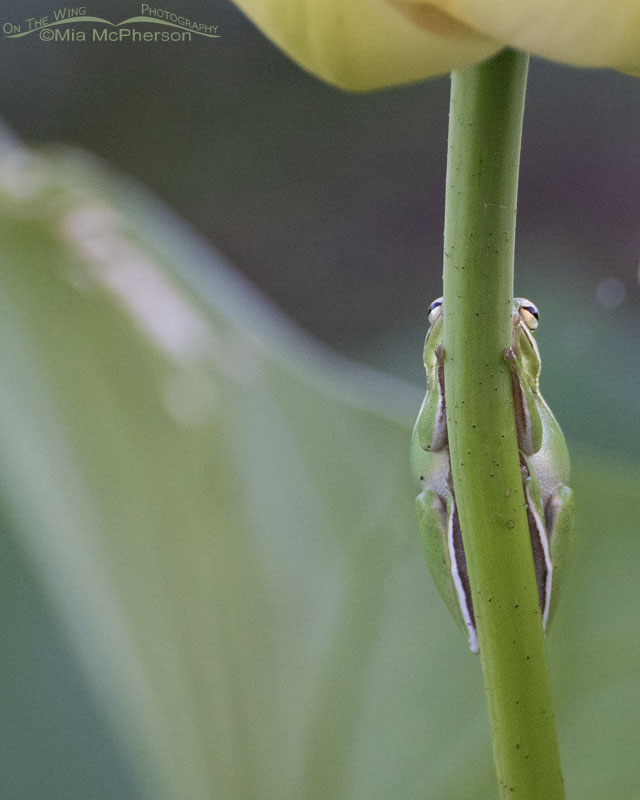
[[545, 473]]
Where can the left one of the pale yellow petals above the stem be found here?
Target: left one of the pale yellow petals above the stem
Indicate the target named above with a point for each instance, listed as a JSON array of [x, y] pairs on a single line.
[[366, 44]]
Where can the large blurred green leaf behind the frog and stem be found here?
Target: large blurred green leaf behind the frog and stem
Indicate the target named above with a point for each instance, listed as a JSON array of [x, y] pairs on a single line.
[[222, 516]]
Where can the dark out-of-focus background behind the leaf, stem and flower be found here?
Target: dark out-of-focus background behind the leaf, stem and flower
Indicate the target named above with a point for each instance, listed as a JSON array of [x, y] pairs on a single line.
[[332, 205]]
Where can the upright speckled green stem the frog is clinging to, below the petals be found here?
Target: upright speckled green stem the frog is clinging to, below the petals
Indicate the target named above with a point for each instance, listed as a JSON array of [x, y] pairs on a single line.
[[485, 128]]
